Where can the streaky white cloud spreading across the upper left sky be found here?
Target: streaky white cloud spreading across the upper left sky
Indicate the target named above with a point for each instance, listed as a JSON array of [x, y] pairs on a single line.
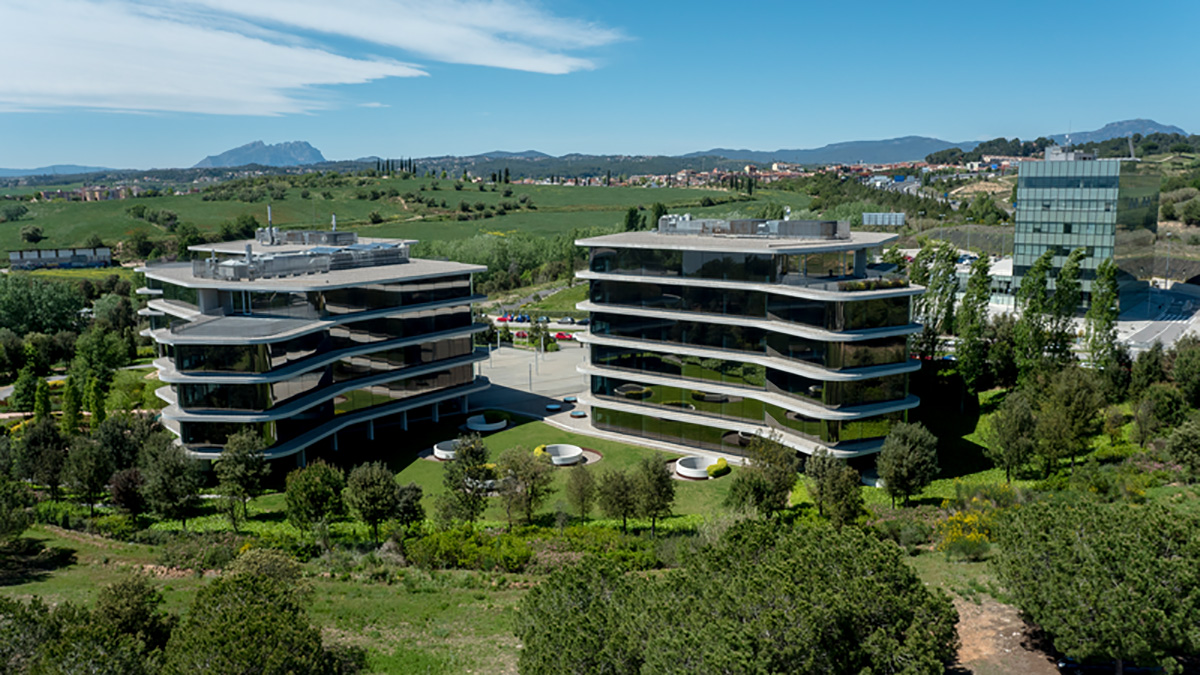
[[226, 57]]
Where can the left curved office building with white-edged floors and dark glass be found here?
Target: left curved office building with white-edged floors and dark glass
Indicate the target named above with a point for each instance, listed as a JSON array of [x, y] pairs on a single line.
[[302, 336]]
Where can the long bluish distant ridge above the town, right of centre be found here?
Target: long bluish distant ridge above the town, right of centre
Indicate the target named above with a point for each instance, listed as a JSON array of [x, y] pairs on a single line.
[[853, 152]]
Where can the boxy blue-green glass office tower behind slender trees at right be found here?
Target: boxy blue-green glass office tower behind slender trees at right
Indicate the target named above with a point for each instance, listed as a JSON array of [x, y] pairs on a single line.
[[1108, 207]]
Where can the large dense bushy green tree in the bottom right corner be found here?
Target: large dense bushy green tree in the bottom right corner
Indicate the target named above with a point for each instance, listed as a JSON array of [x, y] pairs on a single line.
[[1120, 555]]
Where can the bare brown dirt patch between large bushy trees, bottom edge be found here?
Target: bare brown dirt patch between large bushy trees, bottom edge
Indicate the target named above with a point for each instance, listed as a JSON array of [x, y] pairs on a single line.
[[997, 640]]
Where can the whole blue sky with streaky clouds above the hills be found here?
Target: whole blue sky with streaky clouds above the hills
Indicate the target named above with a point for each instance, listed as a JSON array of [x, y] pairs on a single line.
[[133, 83]]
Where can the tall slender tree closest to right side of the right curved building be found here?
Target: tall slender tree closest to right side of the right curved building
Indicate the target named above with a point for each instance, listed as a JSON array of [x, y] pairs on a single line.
[[934, 270]]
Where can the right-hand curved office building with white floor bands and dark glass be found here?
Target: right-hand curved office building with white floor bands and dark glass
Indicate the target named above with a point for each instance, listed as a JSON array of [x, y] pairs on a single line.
[[706, 333]]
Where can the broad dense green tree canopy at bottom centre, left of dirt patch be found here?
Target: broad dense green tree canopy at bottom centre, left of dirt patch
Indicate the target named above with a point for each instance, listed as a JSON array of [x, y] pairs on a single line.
[[856, 607]]
